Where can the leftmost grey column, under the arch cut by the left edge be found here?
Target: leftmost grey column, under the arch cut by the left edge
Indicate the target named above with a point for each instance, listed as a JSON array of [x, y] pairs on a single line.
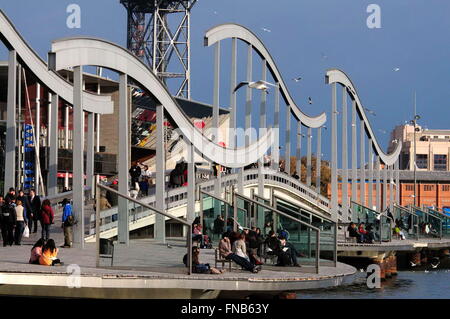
[[10, 149]]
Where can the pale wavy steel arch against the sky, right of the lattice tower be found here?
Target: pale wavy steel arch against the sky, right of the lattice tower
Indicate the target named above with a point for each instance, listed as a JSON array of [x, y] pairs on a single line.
[[232, 30]]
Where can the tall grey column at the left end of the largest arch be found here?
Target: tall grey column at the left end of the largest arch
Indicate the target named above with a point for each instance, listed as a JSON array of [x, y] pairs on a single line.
[[78, 146]]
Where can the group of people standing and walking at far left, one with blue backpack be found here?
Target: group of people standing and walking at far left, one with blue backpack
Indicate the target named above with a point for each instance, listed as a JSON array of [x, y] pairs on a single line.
[[20, 213]]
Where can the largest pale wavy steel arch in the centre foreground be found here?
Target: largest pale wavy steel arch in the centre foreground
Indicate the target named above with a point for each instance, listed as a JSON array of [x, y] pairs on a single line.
[[79, 51]]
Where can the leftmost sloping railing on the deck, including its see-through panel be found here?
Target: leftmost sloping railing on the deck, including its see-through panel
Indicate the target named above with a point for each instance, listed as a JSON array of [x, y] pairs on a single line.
[[144, 253]]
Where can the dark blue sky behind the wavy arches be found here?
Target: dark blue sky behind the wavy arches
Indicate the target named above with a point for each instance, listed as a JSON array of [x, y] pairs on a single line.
[[413, 37]]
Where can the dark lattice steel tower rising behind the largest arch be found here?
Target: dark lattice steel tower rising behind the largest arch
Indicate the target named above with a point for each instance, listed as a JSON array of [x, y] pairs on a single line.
[[159, 33]]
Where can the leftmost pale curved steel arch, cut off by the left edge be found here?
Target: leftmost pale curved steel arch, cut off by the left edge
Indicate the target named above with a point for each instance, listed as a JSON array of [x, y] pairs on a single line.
[[9, 35]]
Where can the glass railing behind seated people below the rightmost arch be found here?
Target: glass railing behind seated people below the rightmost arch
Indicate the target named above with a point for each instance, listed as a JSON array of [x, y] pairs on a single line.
[[380, 222]]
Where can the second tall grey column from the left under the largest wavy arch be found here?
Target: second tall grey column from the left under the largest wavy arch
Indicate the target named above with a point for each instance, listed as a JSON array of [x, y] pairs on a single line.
[[124, 164]]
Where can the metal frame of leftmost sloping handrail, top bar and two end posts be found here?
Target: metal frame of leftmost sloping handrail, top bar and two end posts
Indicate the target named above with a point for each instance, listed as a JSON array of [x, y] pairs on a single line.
[[157, 211]]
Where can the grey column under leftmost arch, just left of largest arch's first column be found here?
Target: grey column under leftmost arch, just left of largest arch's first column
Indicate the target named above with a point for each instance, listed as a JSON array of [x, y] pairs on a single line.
[[52, 183]]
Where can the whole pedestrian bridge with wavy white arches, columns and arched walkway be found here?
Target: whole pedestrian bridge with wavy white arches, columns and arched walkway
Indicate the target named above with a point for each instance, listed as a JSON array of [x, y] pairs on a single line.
[[251, 197]]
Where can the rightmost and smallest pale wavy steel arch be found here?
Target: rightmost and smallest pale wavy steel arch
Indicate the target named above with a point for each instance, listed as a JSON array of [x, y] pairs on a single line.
[[338, 76]]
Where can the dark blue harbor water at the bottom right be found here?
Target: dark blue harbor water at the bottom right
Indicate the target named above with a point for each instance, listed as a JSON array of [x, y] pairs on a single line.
[[424, 284]]
